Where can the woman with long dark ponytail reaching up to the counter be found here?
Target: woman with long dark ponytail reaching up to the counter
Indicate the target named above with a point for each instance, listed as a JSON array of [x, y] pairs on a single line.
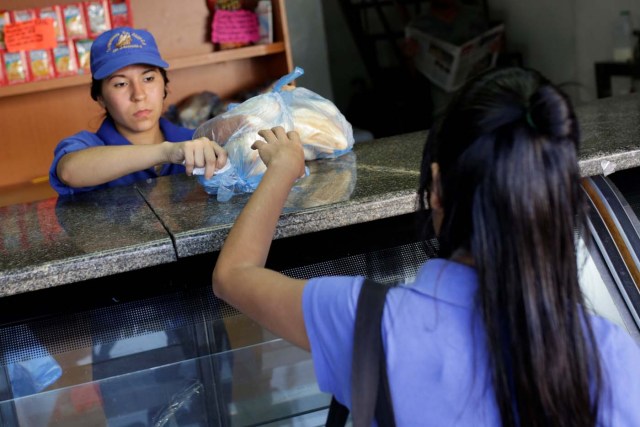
[[494, 331]]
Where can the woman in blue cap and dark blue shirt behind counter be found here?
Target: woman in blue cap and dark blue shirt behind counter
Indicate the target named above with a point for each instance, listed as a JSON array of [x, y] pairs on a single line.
[[134, 142]]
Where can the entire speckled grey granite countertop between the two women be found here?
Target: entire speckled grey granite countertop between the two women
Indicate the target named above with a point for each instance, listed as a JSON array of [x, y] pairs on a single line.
[[56, 241]]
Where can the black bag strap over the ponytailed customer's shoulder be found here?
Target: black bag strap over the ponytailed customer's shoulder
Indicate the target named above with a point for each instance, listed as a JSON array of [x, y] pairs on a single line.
[[369, 385]]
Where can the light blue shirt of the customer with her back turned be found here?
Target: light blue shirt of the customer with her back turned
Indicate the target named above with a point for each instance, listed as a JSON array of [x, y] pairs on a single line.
[[436, 353]]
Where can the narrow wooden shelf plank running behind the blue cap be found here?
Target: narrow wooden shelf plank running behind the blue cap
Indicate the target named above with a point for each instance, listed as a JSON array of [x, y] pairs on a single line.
[[174, 64]]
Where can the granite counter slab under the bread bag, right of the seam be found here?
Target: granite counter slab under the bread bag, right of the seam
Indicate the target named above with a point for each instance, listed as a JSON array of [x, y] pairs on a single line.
[[377, 180]]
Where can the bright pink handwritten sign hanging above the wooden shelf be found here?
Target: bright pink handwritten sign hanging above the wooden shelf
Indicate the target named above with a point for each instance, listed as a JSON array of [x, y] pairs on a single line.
[[235, 26]]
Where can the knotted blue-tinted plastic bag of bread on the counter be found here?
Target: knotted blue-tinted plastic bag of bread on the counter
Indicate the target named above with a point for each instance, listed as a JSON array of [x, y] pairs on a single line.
[[324, 133]]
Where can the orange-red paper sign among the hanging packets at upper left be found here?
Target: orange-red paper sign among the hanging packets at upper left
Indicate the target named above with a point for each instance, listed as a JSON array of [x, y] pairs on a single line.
[[30, 35]]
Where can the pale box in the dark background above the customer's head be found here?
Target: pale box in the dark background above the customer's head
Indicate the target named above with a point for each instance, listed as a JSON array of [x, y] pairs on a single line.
[[450, 66]]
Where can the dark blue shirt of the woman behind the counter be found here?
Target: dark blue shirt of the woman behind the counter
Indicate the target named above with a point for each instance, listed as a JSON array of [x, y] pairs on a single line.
[[108, 135]]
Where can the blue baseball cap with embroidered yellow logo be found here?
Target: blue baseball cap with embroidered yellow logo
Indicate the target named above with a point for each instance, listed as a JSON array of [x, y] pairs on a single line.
[[120, 47]]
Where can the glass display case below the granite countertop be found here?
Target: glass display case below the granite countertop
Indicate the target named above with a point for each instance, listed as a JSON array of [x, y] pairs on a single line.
[[164, 352]]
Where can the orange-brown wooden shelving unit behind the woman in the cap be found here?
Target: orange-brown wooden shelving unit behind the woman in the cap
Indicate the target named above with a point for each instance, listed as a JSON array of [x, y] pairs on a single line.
[[35, 116]]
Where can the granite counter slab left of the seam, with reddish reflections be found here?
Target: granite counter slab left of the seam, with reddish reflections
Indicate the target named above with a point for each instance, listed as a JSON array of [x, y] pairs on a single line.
[[53, 242]]
